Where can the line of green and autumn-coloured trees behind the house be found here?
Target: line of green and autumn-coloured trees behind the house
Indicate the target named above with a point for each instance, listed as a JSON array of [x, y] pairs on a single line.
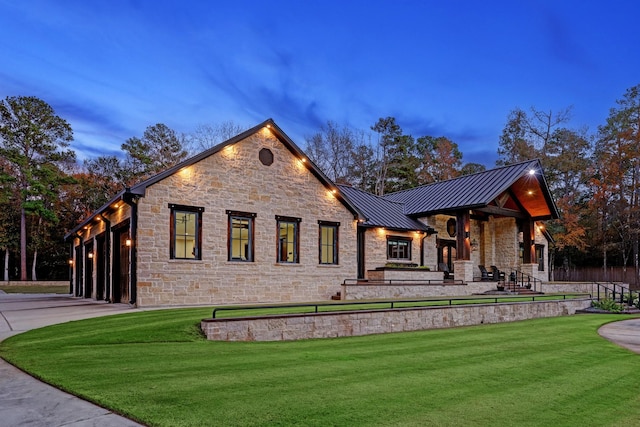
[[593, 176]]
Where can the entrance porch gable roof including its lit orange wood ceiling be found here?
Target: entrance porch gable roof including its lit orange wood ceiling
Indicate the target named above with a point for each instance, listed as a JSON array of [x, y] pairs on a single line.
[[526, 189]]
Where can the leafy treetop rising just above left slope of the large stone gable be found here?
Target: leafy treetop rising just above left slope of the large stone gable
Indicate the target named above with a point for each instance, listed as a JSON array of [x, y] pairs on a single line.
[[158, 149]]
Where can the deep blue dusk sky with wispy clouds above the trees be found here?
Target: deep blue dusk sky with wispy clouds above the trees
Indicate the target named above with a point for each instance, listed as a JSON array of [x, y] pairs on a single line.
[[441, 68]]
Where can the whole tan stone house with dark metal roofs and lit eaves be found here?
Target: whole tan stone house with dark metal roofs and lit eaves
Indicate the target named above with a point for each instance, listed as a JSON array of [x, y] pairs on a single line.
[[253, 220]]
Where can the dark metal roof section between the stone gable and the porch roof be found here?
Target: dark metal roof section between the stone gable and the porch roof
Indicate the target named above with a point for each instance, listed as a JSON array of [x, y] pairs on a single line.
[[380, 212]]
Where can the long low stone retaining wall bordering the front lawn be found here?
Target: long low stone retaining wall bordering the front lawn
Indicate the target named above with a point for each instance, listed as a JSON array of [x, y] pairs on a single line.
[[346, 324]]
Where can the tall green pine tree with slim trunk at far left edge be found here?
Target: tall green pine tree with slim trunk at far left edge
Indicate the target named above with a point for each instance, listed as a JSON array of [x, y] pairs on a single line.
[[33, 142]]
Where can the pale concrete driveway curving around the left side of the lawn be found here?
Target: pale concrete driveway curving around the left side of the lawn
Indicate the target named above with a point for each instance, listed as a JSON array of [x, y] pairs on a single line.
[[25, 401]]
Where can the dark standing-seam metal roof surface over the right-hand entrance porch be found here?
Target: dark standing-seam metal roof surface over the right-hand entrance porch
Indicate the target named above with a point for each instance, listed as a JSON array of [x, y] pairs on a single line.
[[473, 191]]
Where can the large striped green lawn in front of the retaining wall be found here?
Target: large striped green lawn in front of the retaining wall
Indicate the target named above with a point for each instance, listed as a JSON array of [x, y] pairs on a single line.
[[156, 367]]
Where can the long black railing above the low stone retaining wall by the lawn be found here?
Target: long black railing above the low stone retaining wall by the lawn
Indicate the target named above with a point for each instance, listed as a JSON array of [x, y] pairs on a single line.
[[397, 304]]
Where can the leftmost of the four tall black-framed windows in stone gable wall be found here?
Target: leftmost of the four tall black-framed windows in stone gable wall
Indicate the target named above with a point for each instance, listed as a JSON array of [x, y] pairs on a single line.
[[186, 232]]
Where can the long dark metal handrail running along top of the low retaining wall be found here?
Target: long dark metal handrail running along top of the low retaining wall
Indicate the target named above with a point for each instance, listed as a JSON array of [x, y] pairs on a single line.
[[401, 304]]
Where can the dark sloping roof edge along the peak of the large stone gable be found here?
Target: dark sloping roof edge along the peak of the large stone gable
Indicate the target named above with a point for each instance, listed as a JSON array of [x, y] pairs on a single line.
[[139, 189]]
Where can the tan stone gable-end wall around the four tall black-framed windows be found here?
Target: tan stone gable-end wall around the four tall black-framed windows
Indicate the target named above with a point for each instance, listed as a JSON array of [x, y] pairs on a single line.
[[235, 179]]
